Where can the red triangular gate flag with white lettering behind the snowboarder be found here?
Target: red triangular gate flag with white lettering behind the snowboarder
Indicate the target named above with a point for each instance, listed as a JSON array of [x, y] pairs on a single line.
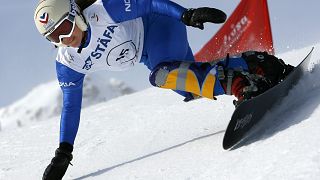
[[248, 28]]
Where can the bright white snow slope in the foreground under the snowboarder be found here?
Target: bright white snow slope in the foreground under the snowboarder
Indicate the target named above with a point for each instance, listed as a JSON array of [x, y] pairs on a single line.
[[154, 135]]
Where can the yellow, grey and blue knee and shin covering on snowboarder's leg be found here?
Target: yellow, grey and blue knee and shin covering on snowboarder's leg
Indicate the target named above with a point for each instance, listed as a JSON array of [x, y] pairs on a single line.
[[199, 79]]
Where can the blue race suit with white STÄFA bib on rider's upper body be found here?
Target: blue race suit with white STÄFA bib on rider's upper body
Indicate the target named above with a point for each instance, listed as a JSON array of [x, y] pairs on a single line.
[[120, 34]]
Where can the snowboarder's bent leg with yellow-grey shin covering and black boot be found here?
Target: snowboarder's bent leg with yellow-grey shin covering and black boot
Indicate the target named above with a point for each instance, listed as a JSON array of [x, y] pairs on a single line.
[[244, 77]]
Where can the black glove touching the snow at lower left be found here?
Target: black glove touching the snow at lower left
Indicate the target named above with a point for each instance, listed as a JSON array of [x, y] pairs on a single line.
[[59, 164]]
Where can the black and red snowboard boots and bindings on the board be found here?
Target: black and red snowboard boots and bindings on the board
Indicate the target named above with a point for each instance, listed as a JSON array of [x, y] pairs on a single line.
[[264, 72]]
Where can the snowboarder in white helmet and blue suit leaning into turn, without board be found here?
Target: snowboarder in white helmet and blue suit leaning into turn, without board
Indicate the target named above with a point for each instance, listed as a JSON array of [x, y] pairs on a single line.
[[115, 35]]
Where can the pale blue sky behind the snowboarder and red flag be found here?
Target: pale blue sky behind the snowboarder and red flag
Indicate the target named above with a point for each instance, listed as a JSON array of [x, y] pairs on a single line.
[[29, 60]]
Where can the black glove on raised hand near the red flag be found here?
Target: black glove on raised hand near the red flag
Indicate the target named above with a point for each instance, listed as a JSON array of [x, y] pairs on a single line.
[[196, 17]]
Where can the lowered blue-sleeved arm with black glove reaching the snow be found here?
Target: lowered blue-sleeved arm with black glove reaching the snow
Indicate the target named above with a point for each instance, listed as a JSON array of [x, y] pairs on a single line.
[[71, 83]]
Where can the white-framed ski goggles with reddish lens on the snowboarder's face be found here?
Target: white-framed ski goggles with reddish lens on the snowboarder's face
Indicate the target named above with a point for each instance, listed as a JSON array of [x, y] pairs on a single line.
[[62, 29]]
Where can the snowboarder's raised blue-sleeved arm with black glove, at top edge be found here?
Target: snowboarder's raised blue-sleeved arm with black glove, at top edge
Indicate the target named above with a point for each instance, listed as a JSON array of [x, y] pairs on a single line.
[[121, 11]]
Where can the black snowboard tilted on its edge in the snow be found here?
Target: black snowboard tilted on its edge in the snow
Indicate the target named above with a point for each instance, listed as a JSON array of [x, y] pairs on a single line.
[[248, 113]]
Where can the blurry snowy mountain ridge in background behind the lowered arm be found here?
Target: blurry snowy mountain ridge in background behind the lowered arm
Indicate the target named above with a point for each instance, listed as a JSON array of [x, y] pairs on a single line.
[[45, 101]]
